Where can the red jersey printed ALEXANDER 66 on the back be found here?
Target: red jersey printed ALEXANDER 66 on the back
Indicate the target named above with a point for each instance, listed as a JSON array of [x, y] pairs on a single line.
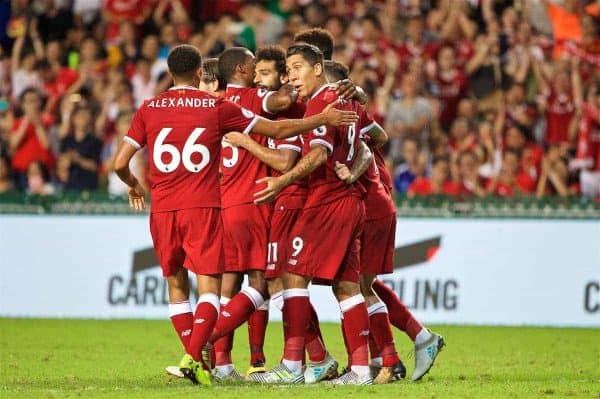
[[183, 128]]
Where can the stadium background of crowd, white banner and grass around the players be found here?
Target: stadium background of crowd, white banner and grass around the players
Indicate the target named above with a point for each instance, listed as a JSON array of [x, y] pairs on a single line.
[[493, 112]]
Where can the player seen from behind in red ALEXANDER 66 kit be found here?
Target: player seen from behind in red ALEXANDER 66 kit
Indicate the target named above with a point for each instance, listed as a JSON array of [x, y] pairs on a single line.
[[183, 128]]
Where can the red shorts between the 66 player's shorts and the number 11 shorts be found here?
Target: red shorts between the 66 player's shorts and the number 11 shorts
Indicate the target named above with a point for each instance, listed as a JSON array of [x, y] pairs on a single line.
[[246, 236]]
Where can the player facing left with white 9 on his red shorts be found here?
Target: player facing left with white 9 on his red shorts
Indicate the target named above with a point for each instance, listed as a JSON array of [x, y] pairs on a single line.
[[332, 209]]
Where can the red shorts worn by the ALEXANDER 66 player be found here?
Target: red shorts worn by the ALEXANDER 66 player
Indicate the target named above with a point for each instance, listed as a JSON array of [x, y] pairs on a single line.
[[190, 238]]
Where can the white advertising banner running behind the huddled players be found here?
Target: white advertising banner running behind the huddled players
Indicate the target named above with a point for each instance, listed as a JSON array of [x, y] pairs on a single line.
[[457, 271]]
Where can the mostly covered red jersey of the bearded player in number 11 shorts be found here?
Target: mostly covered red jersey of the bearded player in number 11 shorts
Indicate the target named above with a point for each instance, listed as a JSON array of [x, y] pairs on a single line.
[[294, 195]]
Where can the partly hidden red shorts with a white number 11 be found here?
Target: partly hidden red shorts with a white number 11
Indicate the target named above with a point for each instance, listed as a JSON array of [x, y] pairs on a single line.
[[278, 252]]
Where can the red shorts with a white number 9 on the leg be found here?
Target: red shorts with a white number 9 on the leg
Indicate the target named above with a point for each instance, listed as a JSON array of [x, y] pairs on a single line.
[[325, 242]]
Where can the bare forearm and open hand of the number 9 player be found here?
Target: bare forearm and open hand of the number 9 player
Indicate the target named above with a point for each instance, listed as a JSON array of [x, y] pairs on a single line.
[[305, 166]]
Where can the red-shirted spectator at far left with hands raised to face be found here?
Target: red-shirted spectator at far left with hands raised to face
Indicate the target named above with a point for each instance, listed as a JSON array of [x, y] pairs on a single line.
[[29, 137]]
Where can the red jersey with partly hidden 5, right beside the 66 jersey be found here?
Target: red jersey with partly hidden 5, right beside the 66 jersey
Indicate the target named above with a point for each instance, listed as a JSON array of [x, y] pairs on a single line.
[[240, 169]]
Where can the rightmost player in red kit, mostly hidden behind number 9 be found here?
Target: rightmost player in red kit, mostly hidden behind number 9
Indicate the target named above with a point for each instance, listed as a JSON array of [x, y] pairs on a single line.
[[377, 257]]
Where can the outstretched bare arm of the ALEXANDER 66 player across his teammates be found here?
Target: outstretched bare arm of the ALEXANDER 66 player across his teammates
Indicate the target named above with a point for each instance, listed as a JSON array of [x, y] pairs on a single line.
[[283, 129]]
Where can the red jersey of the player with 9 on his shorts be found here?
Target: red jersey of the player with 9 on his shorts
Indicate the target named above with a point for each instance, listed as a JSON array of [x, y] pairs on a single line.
[[342, 145]]
